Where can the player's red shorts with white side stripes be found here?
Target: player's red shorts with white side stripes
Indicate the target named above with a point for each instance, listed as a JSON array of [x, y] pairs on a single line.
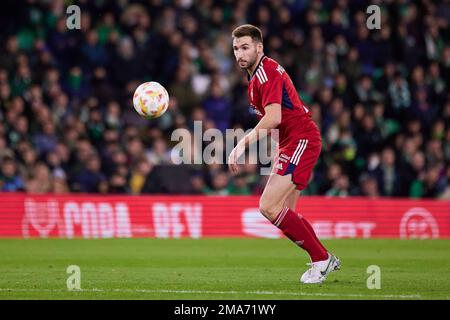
[[298, 158]]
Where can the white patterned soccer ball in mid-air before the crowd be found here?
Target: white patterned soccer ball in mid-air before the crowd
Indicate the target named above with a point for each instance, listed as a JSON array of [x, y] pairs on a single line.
[[151, 100]]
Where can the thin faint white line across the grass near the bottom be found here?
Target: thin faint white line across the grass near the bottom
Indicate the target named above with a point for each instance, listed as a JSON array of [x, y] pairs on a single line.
[[269, 293]]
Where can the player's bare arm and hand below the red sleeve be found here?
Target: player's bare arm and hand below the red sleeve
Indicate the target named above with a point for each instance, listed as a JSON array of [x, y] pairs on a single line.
[[269, 121]]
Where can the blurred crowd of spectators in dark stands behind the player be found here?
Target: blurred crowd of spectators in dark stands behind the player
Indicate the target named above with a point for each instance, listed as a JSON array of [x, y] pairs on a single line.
[[380, 97]]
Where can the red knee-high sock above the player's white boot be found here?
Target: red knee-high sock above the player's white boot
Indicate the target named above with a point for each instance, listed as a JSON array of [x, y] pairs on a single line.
[[293, 227]]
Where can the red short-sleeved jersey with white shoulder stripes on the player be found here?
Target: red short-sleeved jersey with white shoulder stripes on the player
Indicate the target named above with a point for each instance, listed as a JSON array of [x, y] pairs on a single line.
[[270, 83]]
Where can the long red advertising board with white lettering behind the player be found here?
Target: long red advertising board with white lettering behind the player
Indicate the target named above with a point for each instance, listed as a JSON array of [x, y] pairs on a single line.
[[90, 216]]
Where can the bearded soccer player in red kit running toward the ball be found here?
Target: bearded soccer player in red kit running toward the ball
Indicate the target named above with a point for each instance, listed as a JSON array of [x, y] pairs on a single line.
[[273, 97]]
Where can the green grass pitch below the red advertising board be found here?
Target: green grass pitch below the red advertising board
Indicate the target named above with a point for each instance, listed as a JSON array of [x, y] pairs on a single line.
[[219, 269]]
